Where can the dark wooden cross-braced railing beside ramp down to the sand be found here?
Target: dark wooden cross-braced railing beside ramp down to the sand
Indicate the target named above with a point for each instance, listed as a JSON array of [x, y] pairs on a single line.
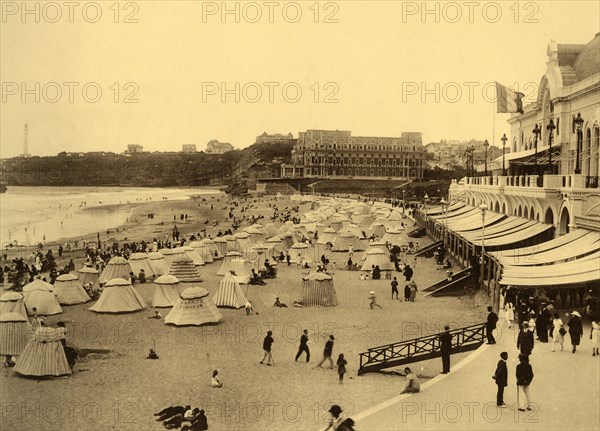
[[420, 349]]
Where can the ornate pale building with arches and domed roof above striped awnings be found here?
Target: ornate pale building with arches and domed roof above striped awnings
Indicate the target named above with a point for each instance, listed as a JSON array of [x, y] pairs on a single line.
[[556, 181]]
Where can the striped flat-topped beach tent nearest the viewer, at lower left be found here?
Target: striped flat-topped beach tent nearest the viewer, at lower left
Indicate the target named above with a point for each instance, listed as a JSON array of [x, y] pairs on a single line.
[[44, 354]]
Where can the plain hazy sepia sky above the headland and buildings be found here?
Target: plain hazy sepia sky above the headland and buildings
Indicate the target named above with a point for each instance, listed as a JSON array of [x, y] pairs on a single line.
[[97, 76]]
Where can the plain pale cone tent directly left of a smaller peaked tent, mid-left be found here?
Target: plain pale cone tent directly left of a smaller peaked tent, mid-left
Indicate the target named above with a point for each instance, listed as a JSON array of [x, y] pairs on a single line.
[[119, 296]]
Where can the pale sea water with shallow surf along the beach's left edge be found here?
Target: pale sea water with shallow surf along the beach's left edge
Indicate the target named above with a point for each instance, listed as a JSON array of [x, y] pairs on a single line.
[[31, 215]]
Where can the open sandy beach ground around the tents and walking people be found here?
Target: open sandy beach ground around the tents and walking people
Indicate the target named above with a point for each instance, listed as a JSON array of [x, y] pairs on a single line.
[[115, 387]]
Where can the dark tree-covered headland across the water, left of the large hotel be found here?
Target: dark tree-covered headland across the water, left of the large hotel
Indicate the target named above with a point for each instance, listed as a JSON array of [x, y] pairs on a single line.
[[239, 168]]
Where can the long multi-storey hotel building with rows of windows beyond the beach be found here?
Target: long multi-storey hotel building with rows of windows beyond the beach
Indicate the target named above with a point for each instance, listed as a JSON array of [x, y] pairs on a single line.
[[338, 154]]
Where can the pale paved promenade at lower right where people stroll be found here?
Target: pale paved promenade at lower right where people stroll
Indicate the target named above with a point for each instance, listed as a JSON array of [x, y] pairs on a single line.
[[565, 391]]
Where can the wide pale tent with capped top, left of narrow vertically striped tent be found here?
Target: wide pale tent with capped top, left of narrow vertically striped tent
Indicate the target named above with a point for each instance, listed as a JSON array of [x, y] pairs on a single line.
[[194, 308]]
